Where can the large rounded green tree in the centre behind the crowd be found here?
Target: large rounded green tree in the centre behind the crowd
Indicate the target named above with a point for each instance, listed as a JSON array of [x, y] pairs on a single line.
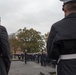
[[30, 39]]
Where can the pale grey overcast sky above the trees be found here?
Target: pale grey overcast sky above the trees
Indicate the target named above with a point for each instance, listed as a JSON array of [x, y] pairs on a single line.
[[36, 14]]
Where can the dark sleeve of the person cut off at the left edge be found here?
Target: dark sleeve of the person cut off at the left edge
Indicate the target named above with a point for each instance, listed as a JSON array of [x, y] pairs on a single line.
[[5, 48]]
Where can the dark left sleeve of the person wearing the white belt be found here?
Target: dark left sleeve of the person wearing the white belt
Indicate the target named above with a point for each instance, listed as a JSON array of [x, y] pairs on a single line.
[[51, 47]]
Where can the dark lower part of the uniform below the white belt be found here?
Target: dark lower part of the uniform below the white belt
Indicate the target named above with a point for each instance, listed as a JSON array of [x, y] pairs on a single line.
[[66, 67]]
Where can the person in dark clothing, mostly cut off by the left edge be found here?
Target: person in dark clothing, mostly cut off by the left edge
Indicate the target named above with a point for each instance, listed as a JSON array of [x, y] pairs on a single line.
[[5, 57]]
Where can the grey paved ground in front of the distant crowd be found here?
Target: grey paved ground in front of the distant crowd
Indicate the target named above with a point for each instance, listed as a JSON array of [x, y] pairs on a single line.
[[31, 68]]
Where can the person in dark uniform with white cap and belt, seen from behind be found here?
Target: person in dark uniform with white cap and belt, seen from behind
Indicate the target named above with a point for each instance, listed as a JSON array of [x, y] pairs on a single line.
[[61, 44]]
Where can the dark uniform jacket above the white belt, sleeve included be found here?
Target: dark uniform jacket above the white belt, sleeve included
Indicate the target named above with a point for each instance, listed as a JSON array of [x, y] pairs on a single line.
[[62, 37]]
